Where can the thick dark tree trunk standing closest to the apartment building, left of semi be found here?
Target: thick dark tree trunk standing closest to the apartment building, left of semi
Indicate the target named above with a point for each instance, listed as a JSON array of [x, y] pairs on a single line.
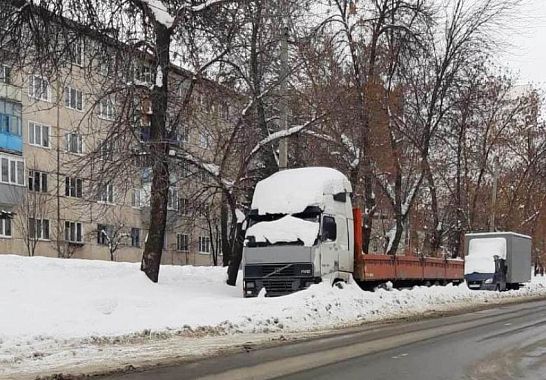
[[153, 248]]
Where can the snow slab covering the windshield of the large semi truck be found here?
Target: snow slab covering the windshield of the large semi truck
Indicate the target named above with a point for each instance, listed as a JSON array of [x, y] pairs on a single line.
[[285, 230]]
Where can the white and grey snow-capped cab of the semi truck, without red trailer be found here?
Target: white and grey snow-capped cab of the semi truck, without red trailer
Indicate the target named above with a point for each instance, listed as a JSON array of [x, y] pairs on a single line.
[[300, 231]]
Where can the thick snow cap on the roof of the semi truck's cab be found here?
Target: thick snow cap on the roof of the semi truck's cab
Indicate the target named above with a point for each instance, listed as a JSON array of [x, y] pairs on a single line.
[[291, 191]]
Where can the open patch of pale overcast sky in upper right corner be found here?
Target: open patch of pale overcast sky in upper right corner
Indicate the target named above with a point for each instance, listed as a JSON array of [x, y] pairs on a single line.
[[525, 52]]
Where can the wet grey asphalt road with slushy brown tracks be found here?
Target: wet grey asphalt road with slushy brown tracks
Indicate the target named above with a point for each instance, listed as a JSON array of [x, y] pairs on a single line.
[[506, 342]]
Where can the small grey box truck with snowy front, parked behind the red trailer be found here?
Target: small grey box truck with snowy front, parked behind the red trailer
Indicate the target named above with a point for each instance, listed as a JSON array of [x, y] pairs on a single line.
[[497, 260]]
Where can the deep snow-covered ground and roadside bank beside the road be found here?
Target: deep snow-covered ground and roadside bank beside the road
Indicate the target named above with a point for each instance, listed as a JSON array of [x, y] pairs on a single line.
[[76, 315]]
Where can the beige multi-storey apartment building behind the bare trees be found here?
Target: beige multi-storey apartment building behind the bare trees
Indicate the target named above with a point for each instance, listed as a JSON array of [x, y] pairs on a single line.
[[55, 141]]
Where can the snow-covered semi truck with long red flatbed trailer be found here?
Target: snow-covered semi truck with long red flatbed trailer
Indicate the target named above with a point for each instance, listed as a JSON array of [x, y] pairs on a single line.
[[303, 230]]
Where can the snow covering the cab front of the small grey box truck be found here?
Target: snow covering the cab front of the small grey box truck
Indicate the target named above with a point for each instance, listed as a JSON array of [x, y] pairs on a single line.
[[481, 252]]
